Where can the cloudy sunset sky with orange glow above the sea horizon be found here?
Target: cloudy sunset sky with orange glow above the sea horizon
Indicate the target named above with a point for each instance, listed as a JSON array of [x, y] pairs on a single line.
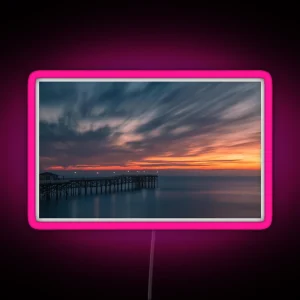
[[183, 126]]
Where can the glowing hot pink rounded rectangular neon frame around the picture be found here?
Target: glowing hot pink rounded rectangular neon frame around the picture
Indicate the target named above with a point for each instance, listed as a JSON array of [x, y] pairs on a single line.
[[150, 225]]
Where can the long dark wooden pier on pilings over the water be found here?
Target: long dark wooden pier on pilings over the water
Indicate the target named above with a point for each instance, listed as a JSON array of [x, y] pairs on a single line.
[[88, 186]]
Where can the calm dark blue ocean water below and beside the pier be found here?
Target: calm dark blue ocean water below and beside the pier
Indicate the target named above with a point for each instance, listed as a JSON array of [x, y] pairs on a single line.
[[175, 197]]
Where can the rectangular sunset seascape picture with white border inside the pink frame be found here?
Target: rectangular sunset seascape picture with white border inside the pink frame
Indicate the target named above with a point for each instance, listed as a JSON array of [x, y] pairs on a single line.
[[150, 149]]
